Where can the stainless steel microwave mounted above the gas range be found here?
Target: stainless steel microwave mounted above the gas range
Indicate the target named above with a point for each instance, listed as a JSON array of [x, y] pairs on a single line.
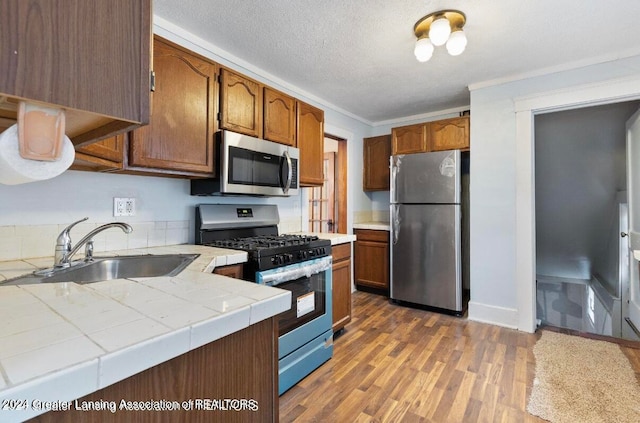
[[251, 166]]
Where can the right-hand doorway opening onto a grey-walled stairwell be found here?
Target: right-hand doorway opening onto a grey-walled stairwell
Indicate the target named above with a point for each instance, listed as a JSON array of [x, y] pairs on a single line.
[[581, 267]]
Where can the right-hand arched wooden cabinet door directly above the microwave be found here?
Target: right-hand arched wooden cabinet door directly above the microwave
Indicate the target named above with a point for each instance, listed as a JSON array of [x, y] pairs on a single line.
[[279, 117]]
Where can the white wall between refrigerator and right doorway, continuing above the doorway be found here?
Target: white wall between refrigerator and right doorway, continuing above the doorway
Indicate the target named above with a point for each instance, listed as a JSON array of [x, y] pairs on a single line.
[[497, 184]]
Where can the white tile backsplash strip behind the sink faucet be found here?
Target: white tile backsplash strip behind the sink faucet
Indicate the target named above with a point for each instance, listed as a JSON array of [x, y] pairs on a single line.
[[33, 241]]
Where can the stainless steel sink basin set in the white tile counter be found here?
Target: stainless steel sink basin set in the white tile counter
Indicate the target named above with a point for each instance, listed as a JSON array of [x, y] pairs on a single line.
[[107, 268]]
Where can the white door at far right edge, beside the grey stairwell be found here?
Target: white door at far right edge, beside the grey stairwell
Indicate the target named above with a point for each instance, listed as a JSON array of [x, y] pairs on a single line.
[[633, 189]]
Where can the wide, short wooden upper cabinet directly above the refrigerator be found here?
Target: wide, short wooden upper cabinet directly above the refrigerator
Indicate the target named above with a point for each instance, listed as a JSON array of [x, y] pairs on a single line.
[[446, 134]]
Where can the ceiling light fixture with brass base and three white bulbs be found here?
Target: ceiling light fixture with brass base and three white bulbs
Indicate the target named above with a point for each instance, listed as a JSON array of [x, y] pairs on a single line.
[[438, 28]]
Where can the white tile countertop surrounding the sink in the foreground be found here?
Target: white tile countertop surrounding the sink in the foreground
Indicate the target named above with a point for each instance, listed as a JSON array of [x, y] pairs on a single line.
[[61, 341]]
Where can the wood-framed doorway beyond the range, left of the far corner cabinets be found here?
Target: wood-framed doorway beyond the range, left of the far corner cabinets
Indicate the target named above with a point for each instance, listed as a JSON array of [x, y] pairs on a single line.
[[328, 203]]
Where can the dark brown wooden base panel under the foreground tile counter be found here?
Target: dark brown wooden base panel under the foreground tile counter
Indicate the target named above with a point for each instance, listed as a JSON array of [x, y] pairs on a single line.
[[241, 367]]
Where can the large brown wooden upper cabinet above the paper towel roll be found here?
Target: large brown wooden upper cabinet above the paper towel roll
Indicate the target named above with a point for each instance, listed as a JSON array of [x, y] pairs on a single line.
[[90, 57]]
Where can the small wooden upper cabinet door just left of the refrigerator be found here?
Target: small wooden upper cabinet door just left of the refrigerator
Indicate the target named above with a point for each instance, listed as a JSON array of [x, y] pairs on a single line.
[[377, 151]]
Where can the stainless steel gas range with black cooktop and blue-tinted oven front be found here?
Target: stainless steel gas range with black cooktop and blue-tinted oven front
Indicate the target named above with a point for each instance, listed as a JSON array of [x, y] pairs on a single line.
[[298, 263]]
